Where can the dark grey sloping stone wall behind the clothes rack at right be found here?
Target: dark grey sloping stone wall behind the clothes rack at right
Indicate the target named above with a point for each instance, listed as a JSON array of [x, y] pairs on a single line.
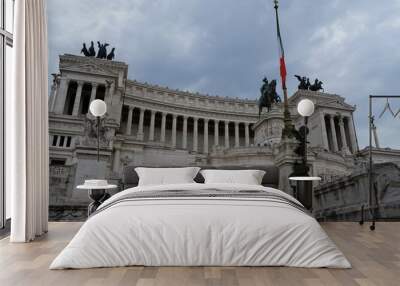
[[343, 198]]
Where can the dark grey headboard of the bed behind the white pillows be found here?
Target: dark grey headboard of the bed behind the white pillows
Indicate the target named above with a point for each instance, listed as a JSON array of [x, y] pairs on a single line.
[[271, 178]]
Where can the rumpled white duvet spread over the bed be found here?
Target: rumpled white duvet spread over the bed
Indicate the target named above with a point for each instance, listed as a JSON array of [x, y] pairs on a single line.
[[207, 231]]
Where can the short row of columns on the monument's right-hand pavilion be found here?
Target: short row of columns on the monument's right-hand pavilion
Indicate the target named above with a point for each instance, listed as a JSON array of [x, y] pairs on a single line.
[[342, 133]]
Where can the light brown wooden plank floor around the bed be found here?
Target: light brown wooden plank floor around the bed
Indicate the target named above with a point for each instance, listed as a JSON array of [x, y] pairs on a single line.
[[375, 257]]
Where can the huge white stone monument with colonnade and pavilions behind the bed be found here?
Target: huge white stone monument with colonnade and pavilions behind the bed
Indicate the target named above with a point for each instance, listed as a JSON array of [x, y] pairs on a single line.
[[150, 125]]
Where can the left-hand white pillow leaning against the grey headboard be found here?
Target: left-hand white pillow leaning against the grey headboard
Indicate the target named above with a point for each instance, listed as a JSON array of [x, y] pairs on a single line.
[[165, 176]]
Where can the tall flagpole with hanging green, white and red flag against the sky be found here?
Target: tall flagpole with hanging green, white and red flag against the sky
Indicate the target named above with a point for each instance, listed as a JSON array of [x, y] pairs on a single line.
[[288, 128]]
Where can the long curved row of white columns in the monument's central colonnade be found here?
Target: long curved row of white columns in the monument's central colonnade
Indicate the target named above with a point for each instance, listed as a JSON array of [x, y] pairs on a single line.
[[140, 133]]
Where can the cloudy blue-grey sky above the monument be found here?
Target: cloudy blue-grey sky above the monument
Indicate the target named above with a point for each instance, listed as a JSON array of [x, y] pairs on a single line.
[[226, 47]]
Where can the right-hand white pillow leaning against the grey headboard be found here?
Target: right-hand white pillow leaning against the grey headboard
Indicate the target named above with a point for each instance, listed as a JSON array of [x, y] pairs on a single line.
[[248, 177]]
